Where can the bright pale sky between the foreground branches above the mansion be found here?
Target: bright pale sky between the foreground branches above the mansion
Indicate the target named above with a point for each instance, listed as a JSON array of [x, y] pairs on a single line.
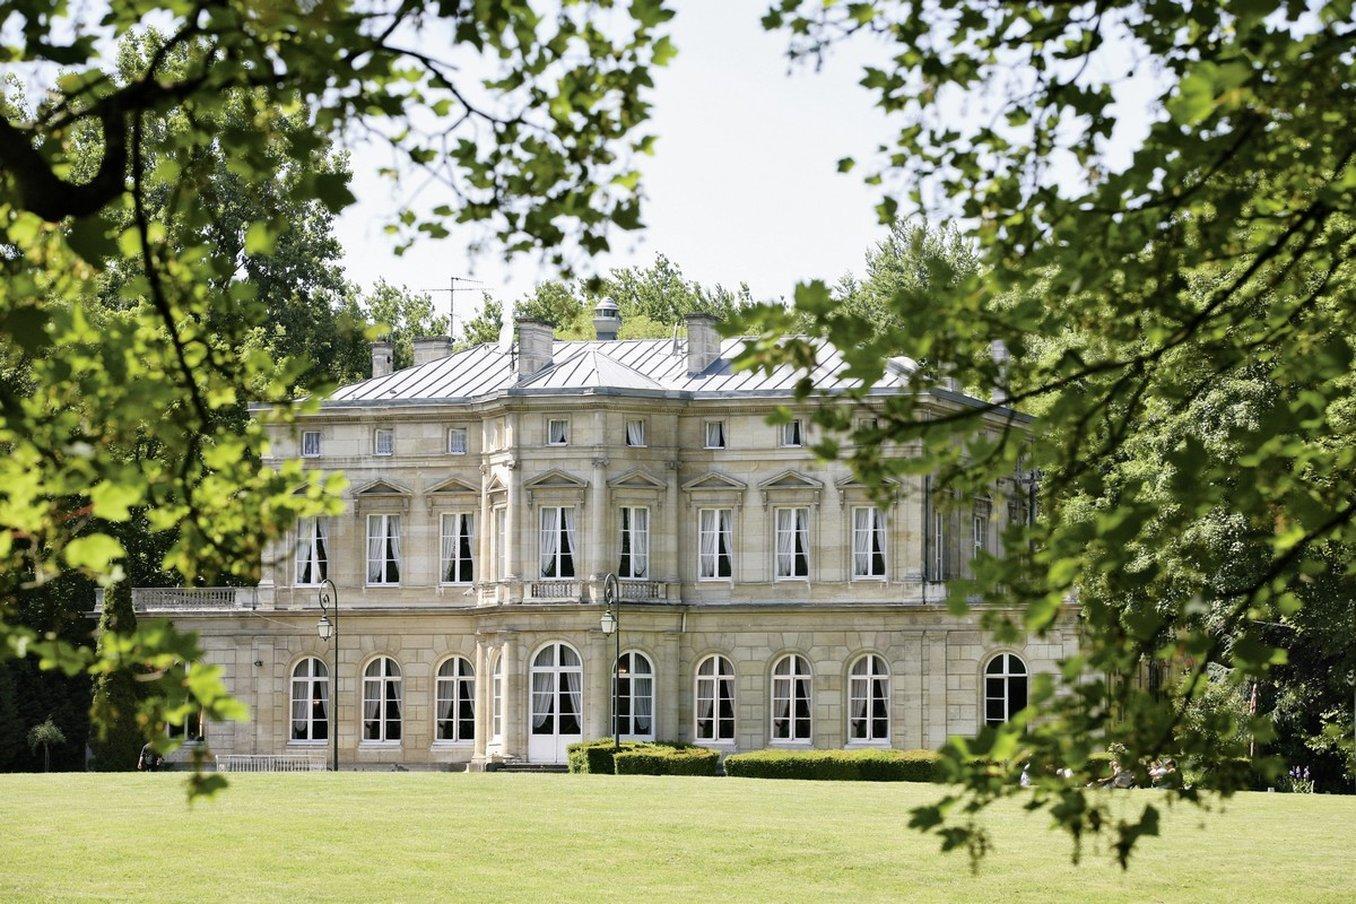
[[742, 188]]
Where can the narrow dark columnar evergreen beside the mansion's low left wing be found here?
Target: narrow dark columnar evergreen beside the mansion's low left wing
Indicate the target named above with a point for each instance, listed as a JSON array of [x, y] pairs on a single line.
[[119, 737]]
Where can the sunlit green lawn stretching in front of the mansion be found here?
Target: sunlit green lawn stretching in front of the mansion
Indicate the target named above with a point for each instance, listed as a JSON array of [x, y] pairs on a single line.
[[584, 838]]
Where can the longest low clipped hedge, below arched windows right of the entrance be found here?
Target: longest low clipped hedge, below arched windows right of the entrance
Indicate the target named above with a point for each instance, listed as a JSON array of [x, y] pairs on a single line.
[[860, 765]]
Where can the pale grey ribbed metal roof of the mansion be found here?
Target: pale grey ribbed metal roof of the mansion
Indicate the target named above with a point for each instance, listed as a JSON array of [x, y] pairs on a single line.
[[626, 367]]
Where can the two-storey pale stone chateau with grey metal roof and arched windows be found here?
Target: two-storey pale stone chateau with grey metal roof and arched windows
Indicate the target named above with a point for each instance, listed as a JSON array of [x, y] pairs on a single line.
[[767, 598]]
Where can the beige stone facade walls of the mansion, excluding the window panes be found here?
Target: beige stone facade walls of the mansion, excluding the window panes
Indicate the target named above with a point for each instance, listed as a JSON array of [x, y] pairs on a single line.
[[509, 611]]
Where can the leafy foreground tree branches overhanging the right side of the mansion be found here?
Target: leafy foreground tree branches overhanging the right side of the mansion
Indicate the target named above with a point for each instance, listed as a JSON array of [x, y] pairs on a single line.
[[1118, 289]]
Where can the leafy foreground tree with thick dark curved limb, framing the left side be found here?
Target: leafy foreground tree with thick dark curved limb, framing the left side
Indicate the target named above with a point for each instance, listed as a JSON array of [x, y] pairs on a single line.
[[538, 154]]
